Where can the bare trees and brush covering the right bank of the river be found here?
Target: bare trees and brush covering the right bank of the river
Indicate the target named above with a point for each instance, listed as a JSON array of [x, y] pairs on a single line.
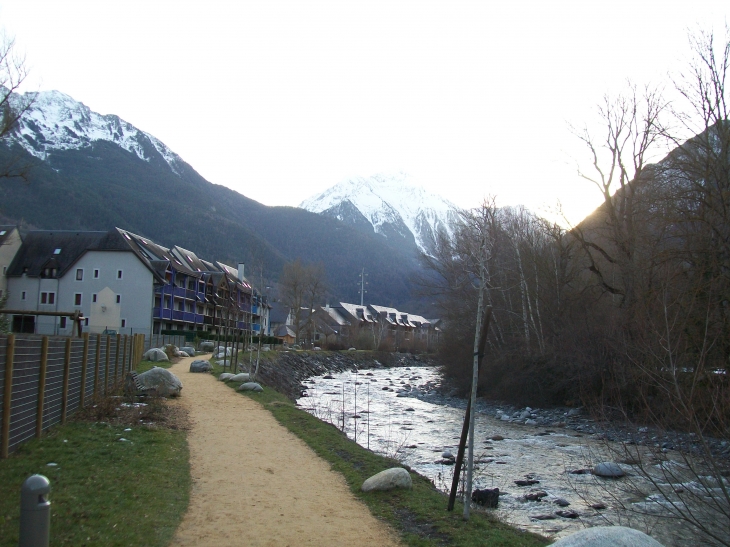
[[628, 312]]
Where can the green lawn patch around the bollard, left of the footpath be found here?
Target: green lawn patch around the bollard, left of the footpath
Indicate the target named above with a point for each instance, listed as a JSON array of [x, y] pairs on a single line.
[[104, 491]]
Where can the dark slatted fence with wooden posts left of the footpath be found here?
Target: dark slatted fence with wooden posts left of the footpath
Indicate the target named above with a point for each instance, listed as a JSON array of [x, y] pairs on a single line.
[[43, 379]]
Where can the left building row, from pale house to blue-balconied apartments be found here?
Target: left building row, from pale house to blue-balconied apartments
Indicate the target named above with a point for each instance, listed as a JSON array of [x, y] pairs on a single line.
[[121, 282]]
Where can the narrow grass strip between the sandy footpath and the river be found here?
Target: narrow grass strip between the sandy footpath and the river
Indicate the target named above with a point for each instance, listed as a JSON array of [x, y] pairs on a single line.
[[419, 514]]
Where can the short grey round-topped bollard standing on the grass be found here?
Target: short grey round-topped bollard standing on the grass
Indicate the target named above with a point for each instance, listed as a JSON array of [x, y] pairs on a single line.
[[35, 512]]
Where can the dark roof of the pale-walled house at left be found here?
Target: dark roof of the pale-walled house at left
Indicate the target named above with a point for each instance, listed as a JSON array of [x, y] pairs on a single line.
[[60, 249]]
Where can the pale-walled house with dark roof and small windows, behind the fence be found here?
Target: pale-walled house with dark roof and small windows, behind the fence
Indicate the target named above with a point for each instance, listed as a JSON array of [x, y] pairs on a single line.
[[94, 273]]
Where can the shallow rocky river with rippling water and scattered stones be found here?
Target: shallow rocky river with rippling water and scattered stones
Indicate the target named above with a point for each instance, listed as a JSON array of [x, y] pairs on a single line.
[[540, 459]]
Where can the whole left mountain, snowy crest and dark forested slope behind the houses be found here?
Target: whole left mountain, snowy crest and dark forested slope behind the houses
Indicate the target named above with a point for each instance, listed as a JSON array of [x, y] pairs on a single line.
[[93, 172]]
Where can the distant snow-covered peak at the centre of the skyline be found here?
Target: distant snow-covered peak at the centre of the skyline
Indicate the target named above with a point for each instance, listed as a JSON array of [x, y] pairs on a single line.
[[391, 206]]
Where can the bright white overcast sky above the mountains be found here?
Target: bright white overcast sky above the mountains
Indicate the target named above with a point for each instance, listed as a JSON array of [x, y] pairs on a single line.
[[280, 100]]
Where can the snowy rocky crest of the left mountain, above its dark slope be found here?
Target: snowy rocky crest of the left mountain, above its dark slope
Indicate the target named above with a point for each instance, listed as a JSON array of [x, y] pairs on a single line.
[[56, 121]]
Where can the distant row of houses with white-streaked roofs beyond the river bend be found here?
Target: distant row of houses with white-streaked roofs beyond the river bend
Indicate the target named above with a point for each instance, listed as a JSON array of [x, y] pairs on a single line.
[[361, 326]]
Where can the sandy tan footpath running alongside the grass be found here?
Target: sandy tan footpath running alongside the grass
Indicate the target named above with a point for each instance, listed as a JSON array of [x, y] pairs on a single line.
[[256, 484]]
